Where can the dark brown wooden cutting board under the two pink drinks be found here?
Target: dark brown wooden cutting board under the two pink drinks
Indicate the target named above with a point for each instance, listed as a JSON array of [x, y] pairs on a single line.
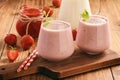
[[79, 62]]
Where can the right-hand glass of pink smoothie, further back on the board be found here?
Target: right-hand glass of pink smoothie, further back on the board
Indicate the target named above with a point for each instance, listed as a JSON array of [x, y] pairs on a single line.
[[94, 35]]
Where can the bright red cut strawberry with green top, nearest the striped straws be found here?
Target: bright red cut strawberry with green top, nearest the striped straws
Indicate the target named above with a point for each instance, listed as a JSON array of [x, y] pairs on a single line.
[[12, 54]]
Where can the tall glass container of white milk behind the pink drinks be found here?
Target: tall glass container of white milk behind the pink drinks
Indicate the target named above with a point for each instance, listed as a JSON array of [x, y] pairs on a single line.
[[70, 11]]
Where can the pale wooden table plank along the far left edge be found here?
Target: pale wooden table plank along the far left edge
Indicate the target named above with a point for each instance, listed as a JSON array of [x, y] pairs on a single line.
[[6, 20]]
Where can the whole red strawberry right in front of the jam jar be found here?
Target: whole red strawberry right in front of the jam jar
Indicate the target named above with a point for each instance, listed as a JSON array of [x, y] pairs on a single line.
[[26, 42]]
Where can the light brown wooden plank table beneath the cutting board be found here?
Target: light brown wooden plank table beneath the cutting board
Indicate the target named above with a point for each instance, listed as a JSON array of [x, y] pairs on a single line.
[[109, 8]]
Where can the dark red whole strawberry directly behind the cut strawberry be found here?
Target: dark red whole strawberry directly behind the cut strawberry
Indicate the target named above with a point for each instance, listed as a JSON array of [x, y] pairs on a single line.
[[10, 39]]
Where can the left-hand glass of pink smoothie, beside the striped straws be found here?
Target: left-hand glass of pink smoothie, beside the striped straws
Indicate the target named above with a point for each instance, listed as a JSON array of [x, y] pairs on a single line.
[[55, 41]]
